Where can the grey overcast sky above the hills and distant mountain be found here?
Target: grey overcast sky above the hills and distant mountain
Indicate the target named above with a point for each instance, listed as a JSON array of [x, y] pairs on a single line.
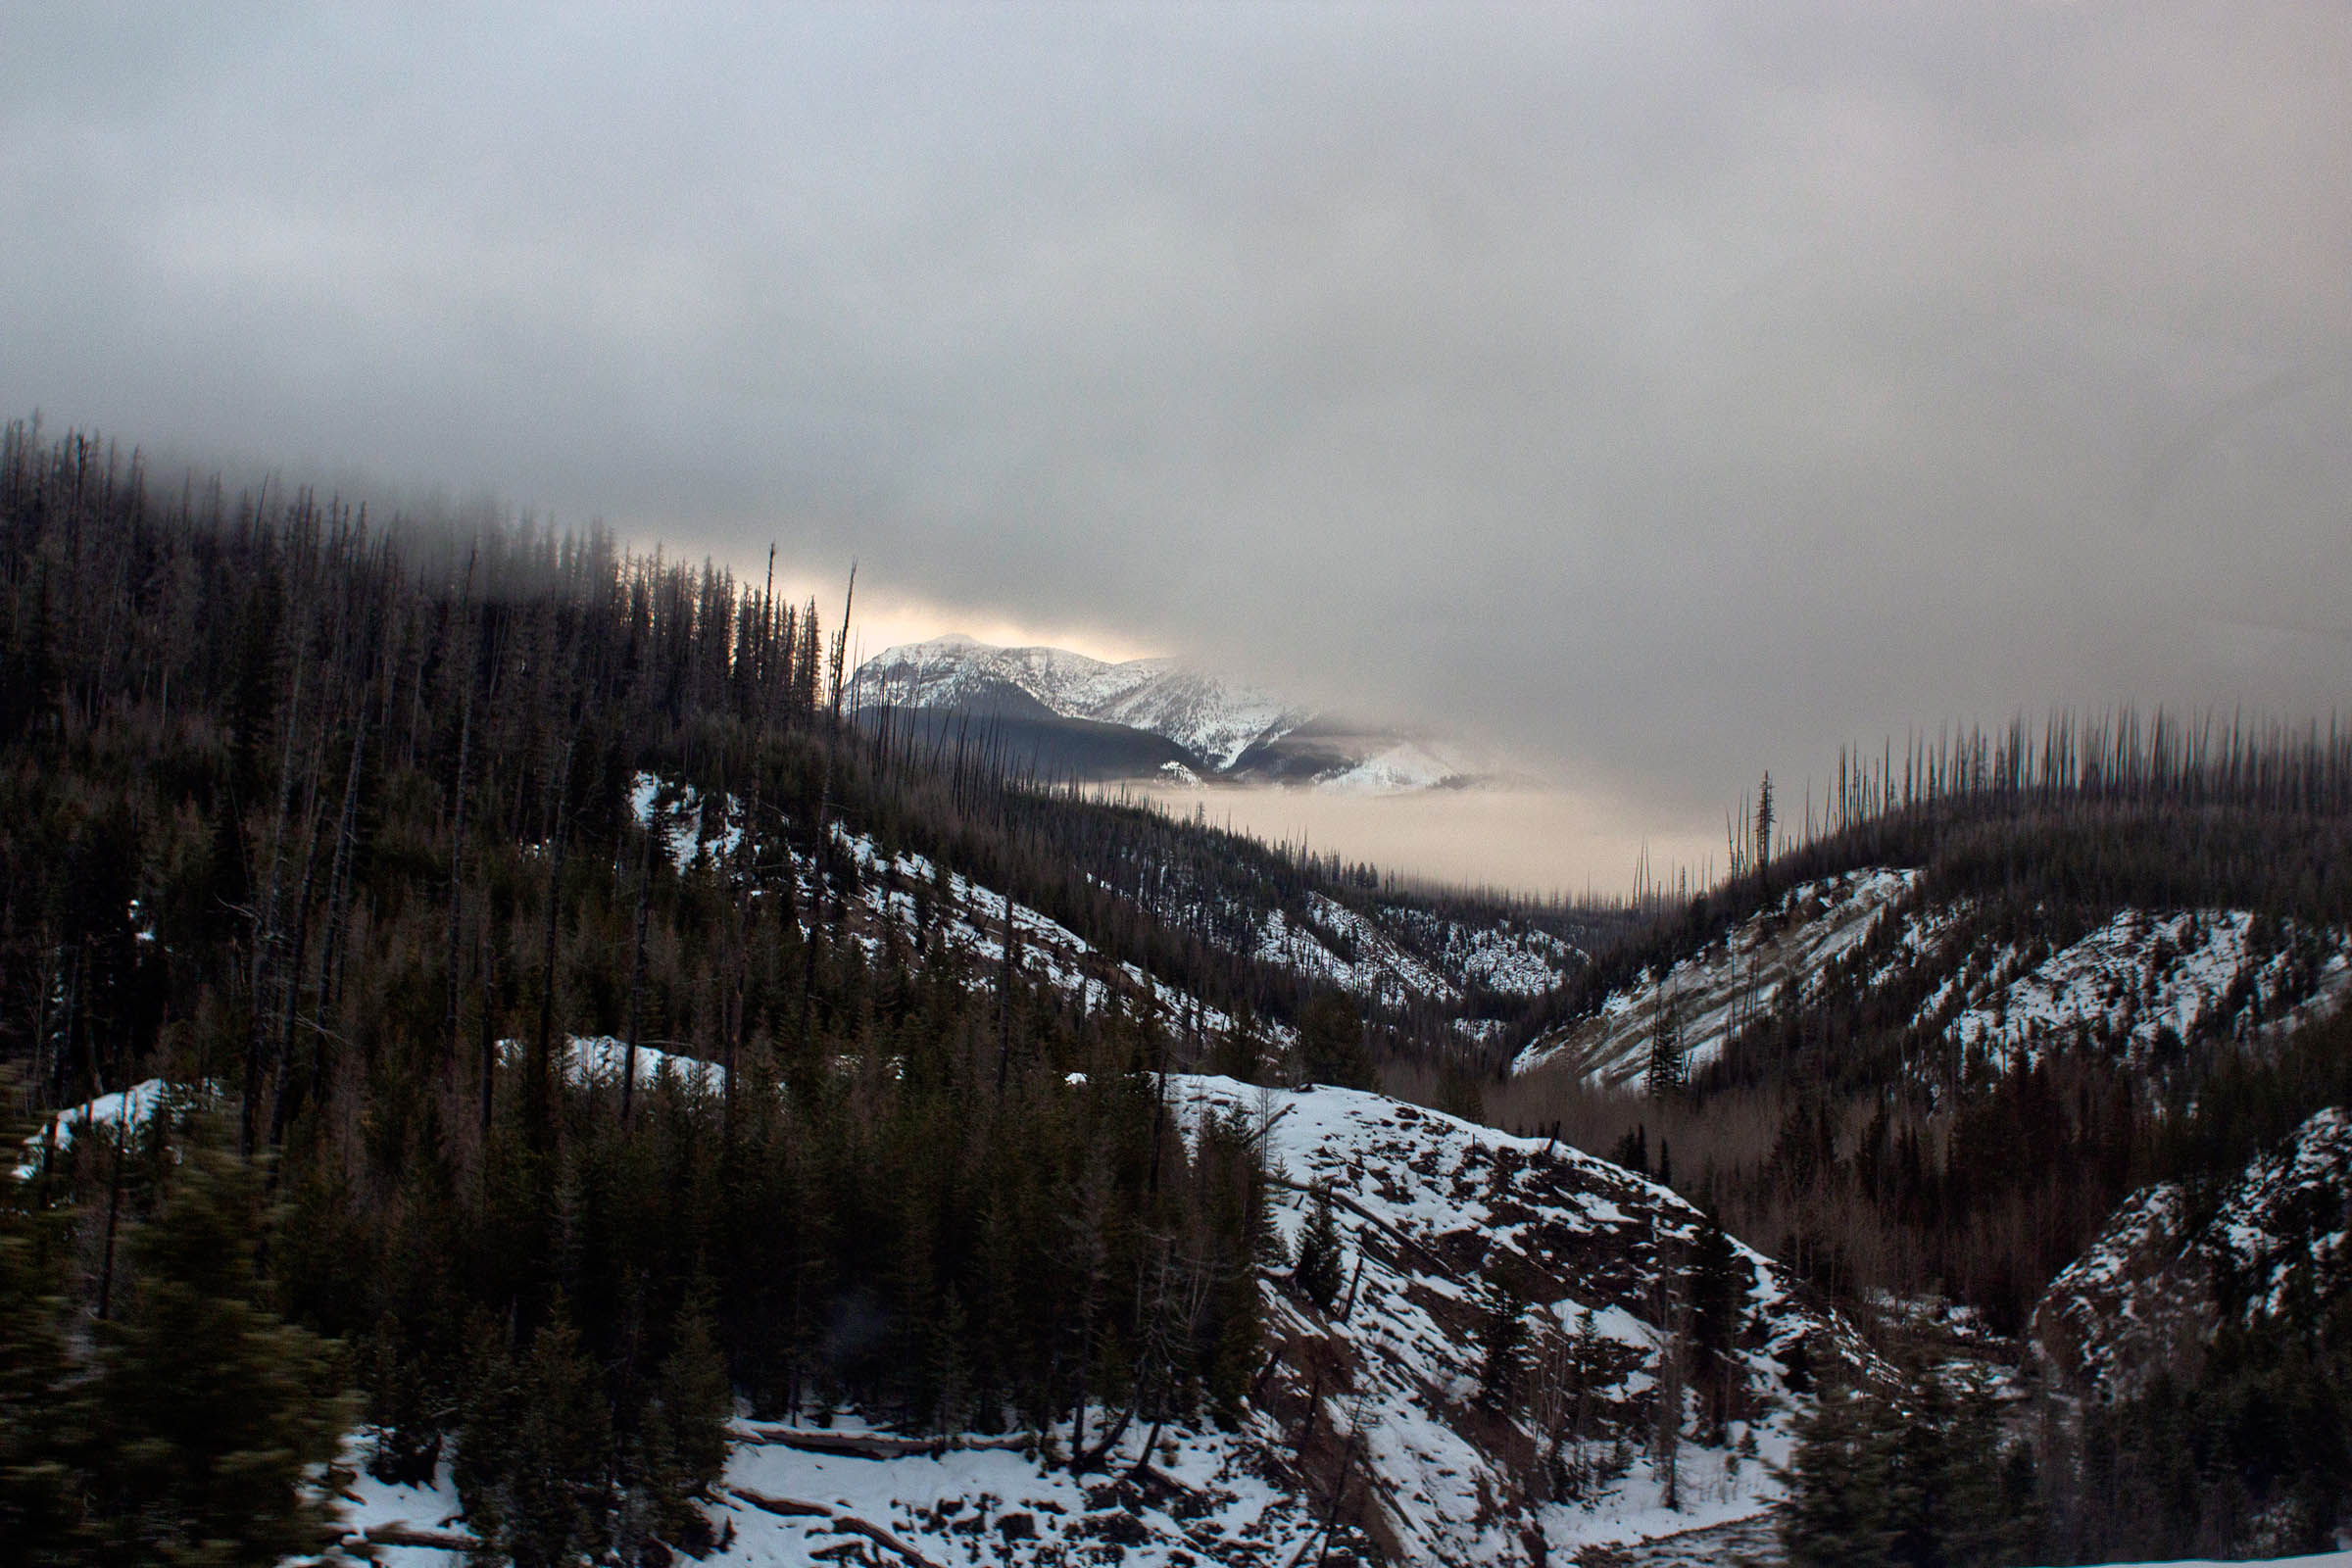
[[1669, 391]]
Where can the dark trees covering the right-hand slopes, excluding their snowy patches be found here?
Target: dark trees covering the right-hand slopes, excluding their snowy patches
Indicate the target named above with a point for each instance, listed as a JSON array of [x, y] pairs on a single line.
[[1850, 1137]]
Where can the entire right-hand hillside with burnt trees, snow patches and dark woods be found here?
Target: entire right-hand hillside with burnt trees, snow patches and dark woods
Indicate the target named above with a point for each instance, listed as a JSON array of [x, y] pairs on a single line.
[[1956, 1054]]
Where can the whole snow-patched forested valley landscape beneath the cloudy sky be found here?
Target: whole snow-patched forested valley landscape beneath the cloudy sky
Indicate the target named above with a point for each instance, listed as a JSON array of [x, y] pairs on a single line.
[[620, 1090]]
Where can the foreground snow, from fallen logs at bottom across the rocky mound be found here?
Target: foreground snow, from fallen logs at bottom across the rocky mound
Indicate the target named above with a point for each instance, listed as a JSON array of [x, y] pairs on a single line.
[[1424, 1205]]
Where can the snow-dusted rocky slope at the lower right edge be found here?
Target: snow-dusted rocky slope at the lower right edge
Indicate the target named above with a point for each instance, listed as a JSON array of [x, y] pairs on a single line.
[[2160, 1278]]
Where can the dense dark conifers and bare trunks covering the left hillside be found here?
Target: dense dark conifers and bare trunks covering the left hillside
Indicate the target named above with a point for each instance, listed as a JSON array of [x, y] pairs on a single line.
[[328, 824]]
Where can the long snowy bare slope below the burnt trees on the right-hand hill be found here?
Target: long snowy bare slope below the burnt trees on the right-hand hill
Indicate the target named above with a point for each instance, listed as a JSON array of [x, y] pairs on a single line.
[[2141, 984]]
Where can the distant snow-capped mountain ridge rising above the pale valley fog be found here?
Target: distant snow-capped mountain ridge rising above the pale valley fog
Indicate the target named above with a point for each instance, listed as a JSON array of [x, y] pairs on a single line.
[[1053, 699]]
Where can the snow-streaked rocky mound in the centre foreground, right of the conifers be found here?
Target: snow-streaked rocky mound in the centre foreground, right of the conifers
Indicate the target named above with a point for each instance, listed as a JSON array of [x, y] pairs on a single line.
[[1431, 1207]]
